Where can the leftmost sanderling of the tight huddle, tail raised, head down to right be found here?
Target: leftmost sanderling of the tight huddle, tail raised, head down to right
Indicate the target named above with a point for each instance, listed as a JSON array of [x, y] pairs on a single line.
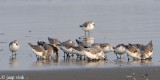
[[38, 50]]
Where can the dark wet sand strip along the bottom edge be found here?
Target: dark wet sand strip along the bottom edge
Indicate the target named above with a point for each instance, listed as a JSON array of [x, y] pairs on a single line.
[[119, 73]]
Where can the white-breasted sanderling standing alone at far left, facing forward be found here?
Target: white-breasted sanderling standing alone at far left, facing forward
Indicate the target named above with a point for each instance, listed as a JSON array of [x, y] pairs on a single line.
[[14, 46]]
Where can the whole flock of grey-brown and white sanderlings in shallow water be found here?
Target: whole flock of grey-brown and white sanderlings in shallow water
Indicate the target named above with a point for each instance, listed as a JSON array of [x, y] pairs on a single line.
[[96, 51]]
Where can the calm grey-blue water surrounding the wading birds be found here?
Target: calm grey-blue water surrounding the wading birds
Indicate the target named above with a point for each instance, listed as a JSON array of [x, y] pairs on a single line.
[[117, 21]]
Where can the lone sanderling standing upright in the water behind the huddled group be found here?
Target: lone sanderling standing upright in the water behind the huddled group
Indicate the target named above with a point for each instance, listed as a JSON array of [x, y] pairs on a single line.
[[88, 26]]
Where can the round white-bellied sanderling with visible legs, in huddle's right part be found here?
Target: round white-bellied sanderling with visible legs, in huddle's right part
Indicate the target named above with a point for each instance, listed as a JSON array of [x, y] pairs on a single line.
[[119, 49]]
